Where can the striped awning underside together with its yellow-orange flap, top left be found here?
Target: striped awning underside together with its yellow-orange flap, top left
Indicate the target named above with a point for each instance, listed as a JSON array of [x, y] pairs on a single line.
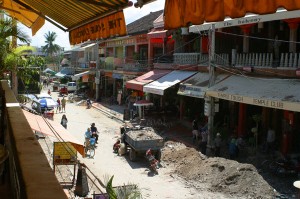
[[67, 14]]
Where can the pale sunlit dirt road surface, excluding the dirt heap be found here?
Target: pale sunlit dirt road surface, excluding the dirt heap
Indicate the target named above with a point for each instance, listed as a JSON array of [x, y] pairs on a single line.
[[106, 163]]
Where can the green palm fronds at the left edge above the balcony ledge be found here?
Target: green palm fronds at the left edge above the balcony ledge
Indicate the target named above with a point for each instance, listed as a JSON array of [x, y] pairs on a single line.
[[7, 31]]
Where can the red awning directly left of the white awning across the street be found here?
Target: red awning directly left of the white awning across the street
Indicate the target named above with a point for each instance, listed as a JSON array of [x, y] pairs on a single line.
[[139, 82]]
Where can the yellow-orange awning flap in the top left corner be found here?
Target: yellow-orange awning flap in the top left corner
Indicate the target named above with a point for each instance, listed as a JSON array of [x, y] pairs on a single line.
[[23, 15]]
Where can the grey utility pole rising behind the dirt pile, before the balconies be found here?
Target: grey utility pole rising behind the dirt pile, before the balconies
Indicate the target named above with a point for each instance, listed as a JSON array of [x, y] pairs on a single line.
[[210, 100]]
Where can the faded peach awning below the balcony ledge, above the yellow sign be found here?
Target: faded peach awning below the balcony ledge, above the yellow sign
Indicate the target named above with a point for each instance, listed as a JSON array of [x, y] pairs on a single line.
[[53, 129]]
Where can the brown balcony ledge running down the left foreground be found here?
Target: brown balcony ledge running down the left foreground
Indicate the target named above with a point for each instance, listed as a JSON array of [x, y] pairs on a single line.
[[27, 173]]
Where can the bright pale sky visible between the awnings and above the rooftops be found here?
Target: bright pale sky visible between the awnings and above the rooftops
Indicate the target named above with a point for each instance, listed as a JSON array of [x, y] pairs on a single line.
[[131, 14]]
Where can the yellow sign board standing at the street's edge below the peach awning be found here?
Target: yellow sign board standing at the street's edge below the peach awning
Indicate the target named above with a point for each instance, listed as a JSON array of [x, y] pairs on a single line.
[[64, 153]]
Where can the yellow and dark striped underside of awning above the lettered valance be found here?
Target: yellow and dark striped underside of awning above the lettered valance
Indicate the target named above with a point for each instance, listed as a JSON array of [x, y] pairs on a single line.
[[72, 14]]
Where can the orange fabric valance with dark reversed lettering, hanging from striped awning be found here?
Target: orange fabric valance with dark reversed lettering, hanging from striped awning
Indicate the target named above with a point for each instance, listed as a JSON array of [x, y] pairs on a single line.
[[112, 25]]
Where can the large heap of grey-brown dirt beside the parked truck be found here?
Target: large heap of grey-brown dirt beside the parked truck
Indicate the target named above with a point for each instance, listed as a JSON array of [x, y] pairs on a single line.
[[216, 174]]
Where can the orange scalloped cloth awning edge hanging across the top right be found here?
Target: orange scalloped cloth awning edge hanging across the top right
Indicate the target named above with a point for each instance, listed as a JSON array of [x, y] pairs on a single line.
[[182, 13]]
